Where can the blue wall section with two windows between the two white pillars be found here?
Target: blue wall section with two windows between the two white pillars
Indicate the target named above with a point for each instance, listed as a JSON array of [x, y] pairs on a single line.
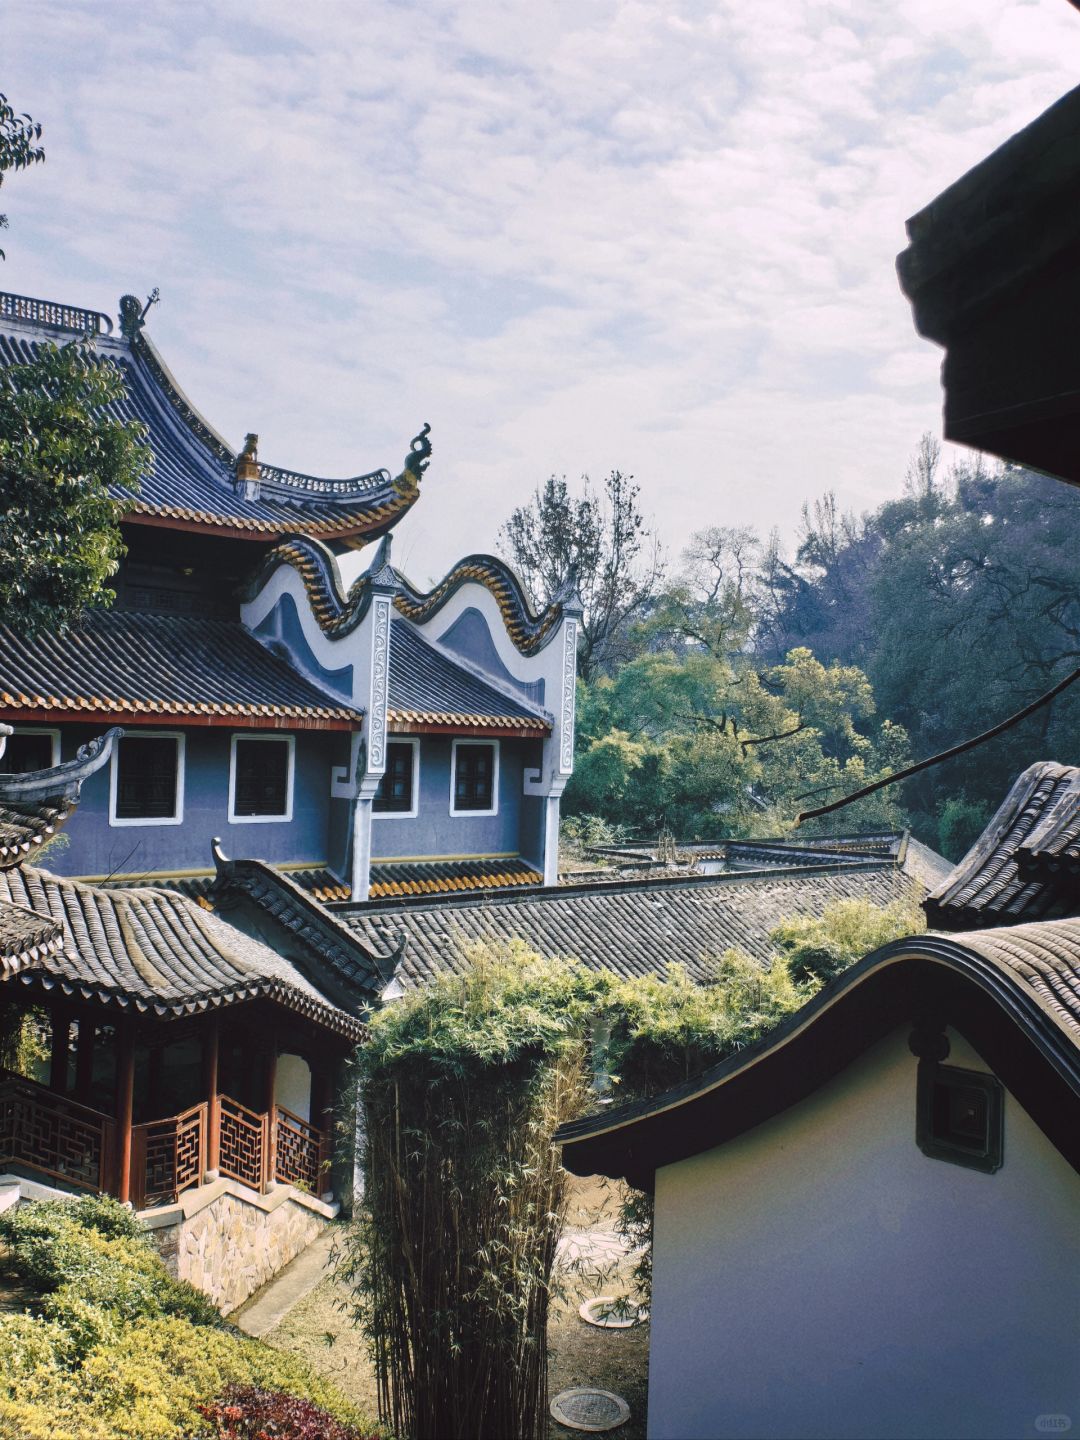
[[436, 832]]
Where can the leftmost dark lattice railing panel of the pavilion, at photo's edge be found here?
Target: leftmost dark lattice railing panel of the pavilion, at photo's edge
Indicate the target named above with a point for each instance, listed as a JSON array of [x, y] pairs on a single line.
[[54, 1135]]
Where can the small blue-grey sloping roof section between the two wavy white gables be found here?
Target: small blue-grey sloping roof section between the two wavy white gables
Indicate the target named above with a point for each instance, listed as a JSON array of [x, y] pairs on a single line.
[[431, 690]]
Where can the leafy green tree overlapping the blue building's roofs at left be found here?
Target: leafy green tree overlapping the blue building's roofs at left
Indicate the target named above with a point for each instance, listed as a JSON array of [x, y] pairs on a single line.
[[61, 456]]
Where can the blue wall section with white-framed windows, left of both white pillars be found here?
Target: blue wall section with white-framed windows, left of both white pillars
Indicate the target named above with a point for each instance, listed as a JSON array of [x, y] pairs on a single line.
[[99, 849]]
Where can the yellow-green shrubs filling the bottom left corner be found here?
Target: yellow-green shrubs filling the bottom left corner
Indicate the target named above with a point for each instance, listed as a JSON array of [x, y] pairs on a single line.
[[120, 1350]]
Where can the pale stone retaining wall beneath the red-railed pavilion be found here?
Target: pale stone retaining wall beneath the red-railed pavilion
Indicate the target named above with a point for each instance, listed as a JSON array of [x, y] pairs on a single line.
[[230, 1242]]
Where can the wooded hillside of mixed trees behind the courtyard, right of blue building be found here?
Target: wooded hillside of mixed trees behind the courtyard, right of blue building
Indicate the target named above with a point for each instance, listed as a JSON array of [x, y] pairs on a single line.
[[724, 693]]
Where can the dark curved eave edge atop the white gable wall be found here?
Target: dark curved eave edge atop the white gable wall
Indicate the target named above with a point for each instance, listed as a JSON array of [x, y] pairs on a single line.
[[925, 981]]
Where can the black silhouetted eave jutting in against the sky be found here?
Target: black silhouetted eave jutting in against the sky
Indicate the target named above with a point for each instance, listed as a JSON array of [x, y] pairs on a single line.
[[993, 273]]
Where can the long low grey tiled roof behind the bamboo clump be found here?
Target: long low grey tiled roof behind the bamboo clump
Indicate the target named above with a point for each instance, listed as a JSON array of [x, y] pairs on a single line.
[[633, 928]]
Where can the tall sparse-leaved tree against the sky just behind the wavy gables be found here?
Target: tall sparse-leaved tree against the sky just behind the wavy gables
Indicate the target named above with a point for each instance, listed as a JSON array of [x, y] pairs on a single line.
[[600, 542]]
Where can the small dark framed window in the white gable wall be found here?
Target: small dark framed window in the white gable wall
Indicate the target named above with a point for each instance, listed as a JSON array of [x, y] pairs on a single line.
[[960, 1117]]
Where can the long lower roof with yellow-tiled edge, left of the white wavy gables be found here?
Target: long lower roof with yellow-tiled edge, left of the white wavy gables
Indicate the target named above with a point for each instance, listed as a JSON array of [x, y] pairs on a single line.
[[186, 669]]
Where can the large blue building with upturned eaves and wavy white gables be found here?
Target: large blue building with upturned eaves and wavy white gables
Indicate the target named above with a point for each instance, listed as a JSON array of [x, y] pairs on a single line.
[[371, 741]]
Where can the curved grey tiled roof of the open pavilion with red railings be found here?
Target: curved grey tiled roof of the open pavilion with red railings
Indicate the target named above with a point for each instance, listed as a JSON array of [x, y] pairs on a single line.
[[158, 953]]
